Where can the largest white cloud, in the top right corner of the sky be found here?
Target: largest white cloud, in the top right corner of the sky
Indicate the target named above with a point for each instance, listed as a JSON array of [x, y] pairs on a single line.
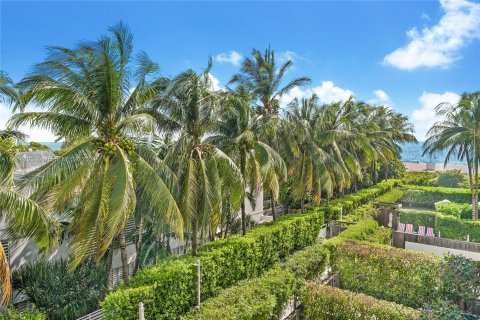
[[439, 45]]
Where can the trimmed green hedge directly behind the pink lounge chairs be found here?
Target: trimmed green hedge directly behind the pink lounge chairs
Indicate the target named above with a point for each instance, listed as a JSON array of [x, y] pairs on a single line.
[[449, 227]]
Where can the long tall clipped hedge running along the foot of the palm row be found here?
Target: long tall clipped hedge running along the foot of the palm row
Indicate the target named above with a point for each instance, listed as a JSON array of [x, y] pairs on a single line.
[[169, 288]]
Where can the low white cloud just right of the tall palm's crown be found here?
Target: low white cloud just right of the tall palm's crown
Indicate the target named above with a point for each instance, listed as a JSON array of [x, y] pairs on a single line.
[[328, 92]]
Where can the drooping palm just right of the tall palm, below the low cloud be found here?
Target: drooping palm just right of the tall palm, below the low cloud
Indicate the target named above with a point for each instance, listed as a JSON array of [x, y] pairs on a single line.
[[312, 168]]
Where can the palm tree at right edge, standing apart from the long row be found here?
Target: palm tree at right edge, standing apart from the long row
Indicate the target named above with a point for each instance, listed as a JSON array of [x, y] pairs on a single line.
[[459, 134]]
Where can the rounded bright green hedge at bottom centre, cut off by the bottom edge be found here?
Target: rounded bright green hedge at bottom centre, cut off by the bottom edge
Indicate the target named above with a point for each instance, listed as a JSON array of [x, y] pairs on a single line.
[[259, 298]]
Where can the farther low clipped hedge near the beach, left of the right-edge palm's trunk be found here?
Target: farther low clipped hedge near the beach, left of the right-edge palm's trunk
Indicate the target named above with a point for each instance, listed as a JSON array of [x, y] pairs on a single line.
[[420, 196]]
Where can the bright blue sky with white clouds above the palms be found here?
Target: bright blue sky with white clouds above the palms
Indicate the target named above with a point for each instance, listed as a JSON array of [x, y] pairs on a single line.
[[410, 55]]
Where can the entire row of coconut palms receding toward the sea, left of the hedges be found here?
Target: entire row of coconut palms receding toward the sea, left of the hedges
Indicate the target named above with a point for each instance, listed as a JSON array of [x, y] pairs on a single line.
[[176, 153]]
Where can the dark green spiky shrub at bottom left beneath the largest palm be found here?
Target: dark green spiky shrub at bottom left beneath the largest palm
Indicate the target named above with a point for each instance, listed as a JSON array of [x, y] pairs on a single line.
[[59, 293]]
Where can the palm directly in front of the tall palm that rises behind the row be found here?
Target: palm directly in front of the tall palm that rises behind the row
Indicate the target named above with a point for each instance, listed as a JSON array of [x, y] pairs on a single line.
[[237, 133]]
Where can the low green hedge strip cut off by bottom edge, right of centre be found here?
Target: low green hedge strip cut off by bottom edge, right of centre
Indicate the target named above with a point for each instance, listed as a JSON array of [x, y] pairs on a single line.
[[328, 303]]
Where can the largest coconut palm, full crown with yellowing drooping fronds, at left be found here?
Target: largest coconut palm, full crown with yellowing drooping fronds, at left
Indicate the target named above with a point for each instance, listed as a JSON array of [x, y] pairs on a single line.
[[91, 102]]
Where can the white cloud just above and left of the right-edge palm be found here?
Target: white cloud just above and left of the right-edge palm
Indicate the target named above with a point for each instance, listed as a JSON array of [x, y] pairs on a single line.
[[424, 117]]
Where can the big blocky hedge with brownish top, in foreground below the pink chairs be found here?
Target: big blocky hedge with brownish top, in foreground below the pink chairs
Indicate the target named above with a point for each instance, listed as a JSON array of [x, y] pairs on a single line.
[[397, 275]]
